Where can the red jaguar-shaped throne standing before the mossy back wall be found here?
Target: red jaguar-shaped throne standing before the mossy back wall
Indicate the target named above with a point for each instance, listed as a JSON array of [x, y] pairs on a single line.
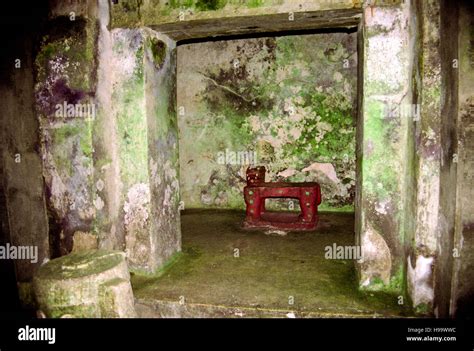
[[257, 190]]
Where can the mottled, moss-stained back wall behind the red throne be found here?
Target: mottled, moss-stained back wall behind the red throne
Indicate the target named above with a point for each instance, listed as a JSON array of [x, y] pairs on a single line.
[[287, 103]]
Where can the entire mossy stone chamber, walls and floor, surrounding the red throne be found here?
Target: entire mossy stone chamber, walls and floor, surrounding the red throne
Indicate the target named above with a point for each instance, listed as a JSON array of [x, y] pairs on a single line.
[[127, 128]]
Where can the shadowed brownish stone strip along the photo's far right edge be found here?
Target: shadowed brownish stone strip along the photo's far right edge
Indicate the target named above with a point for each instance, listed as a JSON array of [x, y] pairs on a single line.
[[463, 280]]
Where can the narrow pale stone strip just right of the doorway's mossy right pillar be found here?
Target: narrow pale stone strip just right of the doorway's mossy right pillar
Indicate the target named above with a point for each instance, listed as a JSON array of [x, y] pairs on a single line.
[[422, 177]]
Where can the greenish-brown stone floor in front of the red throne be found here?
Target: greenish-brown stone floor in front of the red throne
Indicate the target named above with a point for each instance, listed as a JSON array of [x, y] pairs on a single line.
[[273, 275]]
